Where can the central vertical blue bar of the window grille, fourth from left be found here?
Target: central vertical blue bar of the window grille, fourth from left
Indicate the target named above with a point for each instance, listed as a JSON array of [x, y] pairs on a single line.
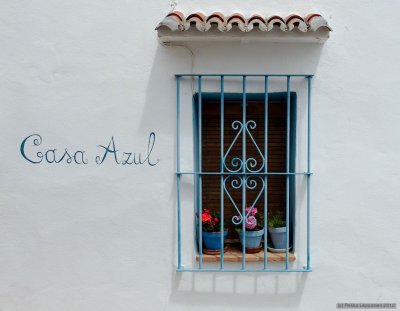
[[244, 177]]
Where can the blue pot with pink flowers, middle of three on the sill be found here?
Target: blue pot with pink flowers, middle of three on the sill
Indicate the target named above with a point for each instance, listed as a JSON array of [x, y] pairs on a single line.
[[254, 229]]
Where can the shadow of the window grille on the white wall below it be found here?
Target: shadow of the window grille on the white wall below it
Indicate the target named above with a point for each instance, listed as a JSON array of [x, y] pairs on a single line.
[[239, 290]]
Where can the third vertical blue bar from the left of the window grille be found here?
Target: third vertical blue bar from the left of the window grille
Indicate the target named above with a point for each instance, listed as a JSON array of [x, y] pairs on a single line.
[[222, 171]]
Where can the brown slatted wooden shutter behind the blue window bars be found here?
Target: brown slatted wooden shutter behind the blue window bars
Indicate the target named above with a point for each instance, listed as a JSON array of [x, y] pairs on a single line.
[[211, 144]]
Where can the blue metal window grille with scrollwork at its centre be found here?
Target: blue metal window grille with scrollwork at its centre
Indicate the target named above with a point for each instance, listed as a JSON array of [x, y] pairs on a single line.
[[241, 169]]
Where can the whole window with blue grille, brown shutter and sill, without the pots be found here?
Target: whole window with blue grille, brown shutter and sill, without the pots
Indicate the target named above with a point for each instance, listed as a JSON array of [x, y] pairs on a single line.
[[244, 147]]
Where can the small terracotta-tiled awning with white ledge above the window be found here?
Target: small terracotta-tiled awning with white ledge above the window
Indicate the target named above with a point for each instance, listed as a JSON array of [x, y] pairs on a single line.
[[176, 27]]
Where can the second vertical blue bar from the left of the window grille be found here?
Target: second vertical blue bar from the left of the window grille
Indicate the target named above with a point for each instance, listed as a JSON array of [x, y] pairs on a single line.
[[199, 116]]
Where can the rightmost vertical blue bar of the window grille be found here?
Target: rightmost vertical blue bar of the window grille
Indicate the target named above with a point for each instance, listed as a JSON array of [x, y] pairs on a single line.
[[308, 168]]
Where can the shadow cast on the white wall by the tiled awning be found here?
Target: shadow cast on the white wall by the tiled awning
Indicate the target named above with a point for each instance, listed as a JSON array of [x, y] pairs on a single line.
[[217, 58]]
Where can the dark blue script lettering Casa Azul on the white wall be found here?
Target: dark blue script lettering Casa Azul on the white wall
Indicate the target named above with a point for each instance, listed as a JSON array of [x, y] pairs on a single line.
[[31, 150]]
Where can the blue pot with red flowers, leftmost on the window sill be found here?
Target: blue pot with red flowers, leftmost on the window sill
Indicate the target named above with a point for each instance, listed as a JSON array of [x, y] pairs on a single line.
[[211, 229]]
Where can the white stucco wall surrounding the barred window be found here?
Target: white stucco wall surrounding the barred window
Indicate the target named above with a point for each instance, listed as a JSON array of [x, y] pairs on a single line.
[[103, 237]]
